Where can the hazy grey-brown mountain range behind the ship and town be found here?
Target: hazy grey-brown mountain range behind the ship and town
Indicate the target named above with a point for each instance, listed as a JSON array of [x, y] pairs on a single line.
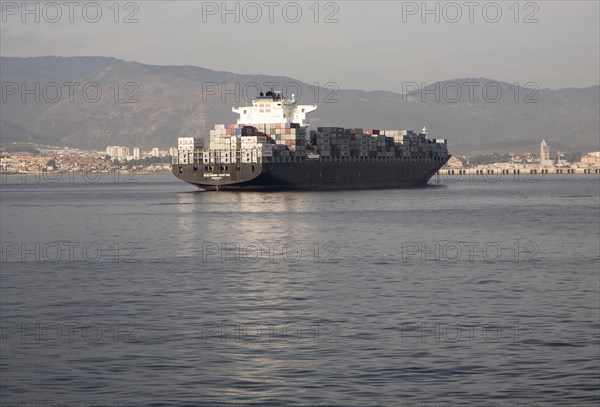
[[148, 105]]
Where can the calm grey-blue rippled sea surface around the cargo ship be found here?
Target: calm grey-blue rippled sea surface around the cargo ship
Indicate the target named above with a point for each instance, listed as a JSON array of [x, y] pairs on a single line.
[[470, 292]]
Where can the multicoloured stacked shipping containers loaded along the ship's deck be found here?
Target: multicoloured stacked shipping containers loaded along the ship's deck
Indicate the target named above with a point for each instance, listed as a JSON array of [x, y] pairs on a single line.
[[262, 142]]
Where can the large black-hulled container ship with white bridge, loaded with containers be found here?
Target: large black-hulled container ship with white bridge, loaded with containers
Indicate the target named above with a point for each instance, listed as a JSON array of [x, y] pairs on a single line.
[[272, 148]]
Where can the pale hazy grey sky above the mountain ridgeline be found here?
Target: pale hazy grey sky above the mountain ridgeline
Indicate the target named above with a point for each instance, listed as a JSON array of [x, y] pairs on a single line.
[[364, 45]]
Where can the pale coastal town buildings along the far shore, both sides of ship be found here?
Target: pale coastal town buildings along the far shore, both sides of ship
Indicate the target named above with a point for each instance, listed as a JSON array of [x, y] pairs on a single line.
[[31, 159]]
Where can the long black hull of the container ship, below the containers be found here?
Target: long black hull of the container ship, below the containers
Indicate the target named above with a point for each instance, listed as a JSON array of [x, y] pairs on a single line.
[[311, 174]]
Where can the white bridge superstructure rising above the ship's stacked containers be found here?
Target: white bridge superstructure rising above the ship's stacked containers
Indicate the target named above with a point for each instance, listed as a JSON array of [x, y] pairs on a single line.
[[273, 108]]
